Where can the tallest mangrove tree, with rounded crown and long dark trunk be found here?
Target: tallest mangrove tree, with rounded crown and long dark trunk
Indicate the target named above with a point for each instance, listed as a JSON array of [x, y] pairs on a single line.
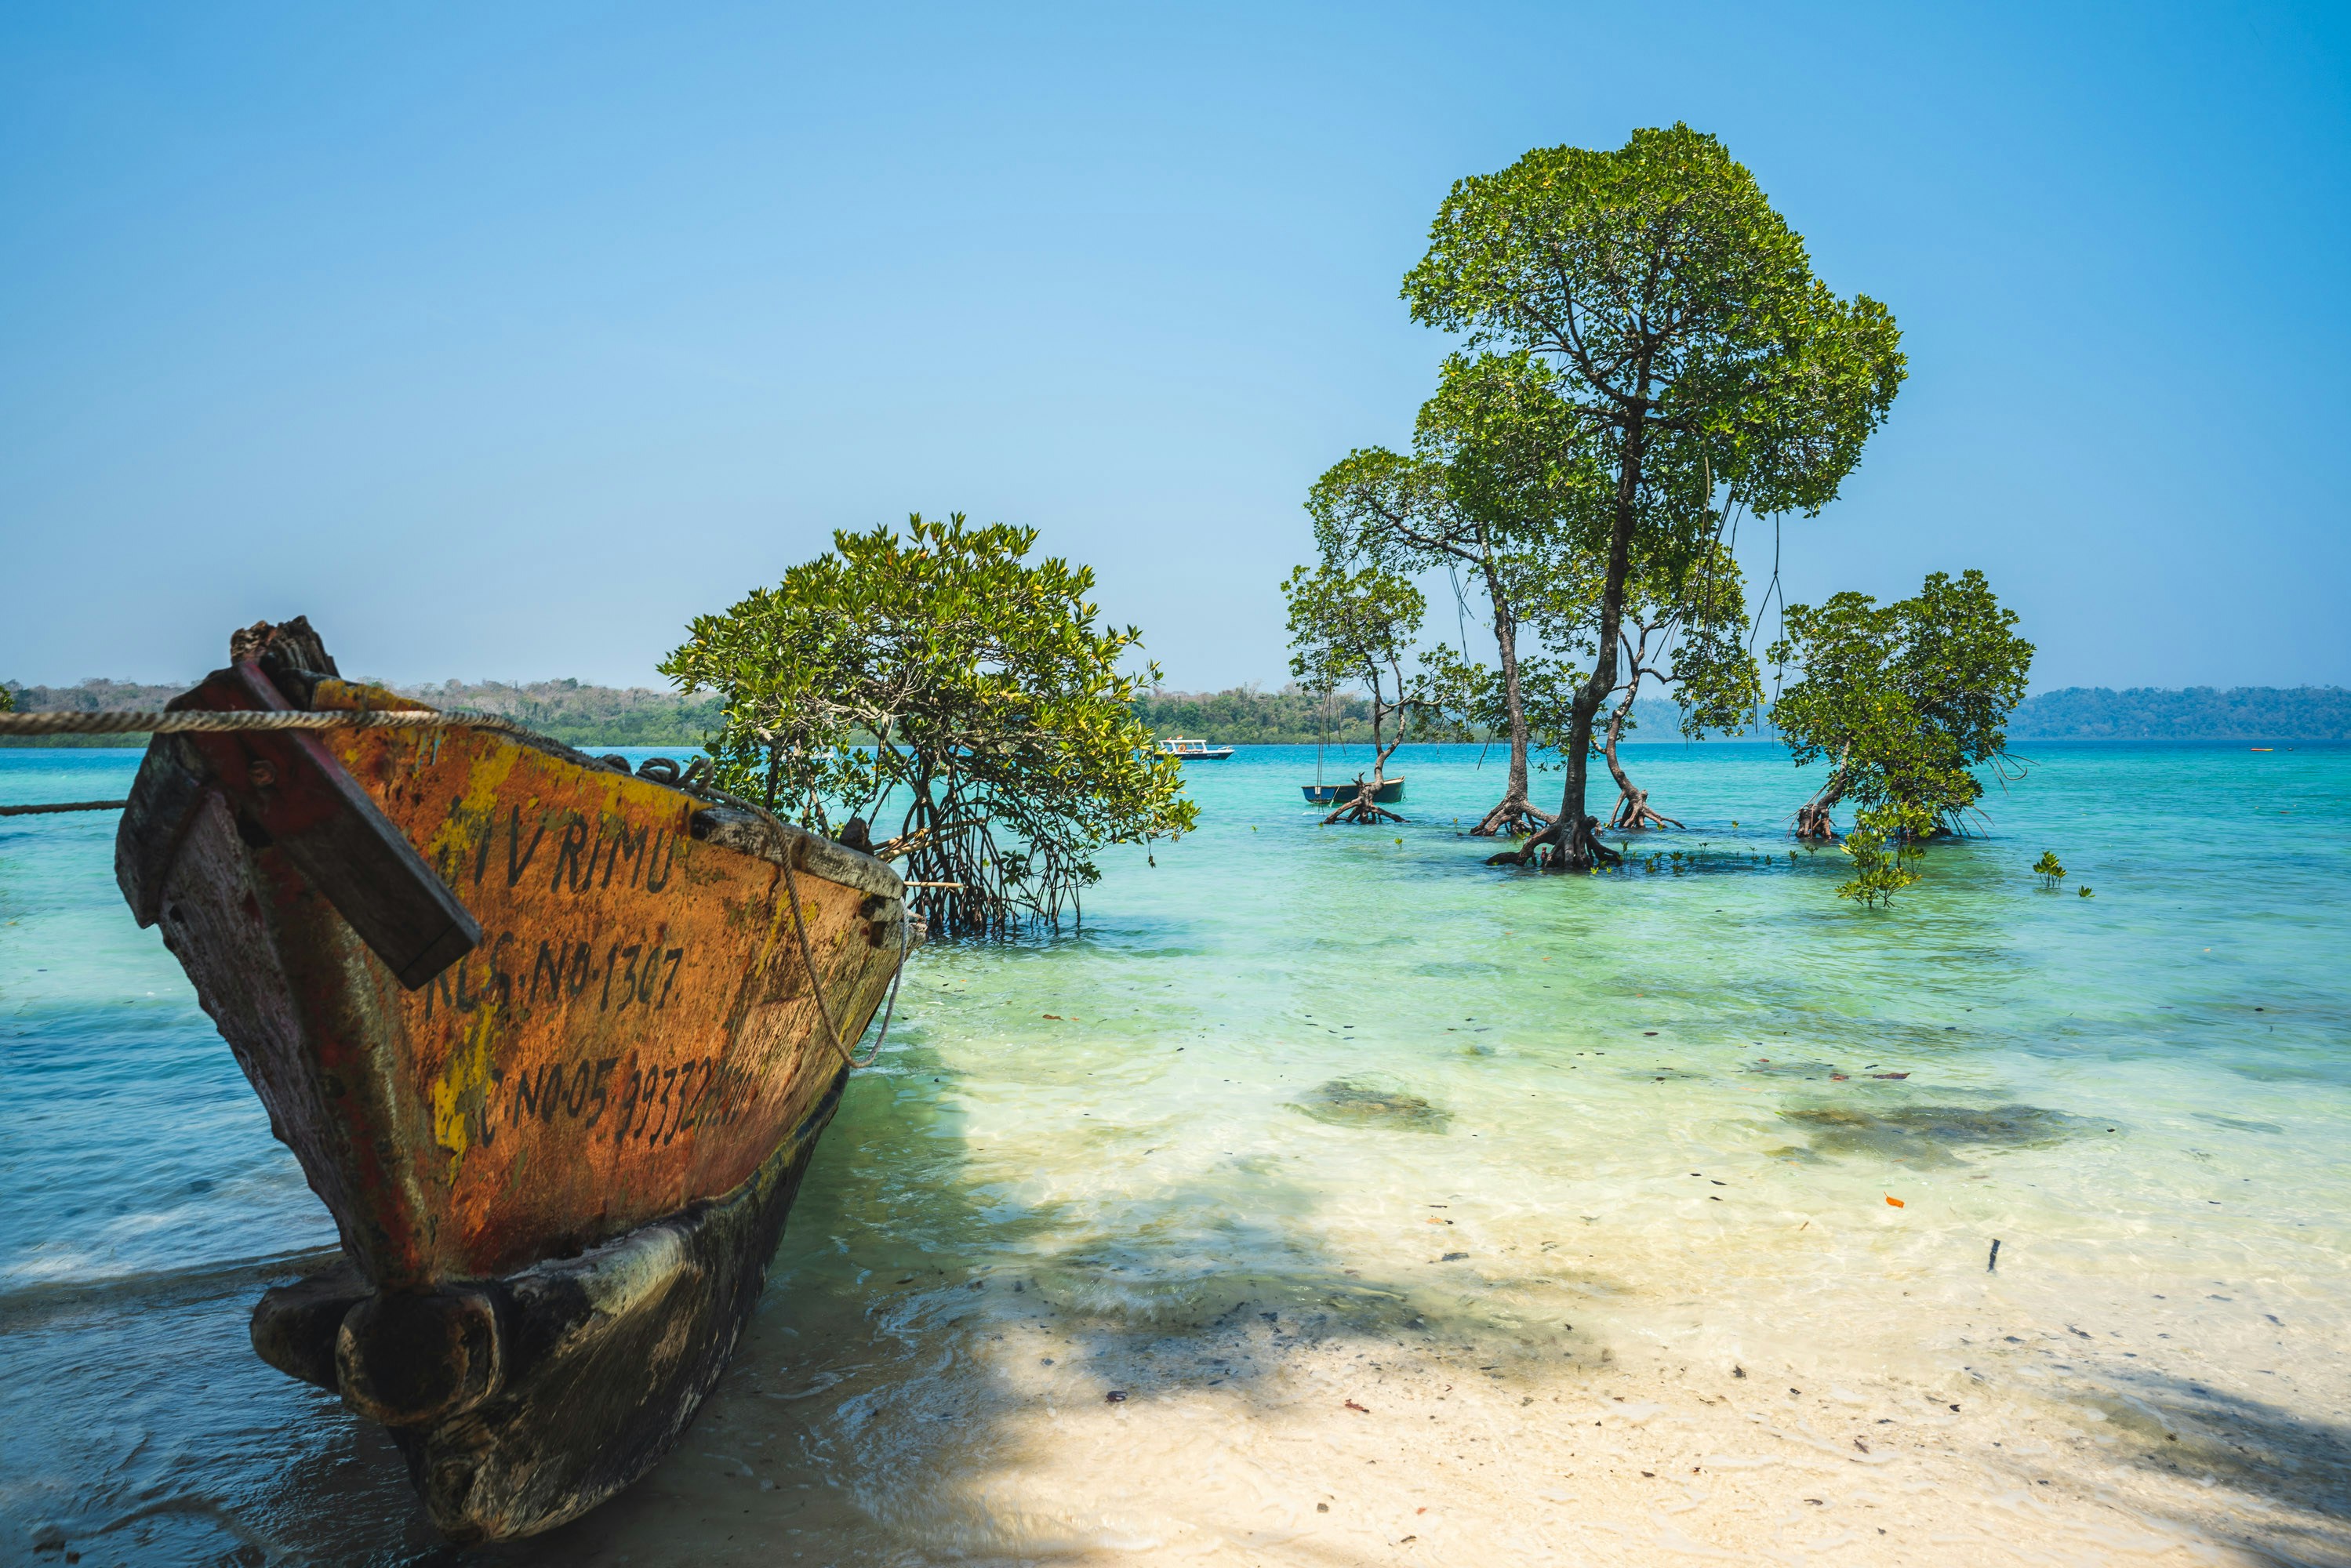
[[1689, 351]]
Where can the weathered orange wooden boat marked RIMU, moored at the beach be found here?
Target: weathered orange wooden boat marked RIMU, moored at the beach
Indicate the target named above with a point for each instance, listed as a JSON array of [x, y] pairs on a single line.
[[542, 1033]]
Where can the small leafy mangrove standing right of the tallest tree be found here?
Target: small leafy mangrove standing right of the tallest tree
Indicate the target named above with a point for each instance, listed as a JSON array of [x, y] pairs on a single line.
[[1903, 699]]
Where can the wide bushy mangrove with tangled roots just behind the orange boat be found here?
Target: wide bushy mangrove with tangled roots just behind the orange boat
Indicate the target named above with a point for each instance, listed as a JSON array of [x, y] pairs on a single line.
[[998, 713]]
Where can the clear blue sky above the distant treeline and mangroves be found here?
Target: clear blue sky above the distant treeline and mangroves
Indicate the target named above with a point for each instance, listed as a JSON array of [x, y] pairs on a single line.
[[504, 340]]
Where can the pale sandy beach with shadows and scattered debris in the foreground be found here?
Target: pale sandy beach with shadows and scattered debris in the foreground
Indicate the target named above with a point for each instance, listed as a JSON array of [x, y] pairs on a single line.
[[1360, 1426]]
